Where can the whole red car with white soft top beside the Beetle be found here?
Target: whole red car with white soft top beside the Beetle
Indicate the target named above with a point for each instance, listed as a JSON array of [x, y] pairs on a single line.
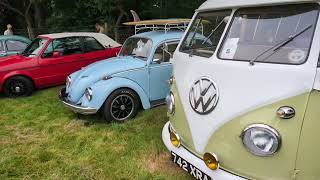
[[49, 59]]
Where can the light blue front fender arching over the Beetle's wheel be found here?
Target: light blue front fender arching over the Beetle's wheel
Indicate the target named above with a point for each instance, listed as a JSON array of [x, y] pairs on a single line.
[[102, 89]]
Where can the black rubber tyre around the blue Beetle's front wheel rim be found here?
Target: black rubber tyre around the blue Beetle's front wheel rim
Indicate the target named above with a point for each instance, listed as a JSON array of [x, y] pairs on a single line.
[[108, 116]]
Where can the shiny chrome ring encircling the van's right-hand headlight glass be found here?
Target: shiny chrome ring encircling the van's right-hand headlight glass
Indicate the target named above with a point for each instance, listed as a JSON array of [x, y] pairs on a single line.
[[264, 126]]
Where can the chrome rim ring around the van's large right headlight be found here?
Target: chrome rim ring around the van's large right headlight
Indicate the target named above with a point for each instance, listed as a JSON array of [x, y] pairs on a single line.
[[268, 129]]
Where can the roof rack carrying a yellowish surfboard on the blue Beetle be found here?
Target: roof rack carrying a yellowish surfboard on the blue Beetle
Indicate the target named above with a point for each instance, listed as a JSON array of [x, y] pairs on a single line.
[[160, 25]]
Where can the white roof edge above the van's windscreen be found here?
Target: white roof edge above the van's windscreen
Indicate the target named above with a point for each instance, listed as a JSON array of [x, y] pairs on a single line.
[[227, 4]]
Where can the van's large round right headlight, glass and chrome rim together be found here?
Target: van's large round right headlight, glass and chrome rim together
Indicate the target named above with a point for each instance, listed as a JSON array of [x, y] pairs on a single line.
[[261, 140]]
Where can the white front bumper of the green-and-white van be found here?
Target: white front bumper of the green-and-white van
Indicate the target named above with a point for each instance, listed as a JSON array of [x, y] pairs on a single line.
[[194, 160]]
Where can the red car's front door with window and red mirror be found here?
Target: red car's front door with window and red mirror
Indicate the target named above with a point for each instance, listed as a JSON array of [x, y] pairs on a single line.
[[61, 58]]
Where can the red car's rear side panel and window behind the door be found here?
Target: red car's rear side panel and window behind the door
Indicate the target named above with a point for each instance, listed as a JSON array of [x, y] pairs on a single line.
[[94, 51]]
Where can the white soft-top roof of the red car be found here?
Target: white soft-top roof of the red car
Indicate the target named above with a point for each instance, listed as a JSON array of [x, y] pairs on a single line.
[[102, 38]]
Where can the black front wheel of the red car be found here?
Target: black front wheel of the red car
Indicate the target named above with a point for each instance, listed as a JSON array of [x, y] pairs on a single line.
[[18, 86]]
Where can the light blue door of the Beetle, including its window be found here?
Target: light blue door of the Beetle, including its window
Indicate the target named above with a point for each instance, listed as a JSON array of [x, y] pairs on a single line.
[[160, 70]]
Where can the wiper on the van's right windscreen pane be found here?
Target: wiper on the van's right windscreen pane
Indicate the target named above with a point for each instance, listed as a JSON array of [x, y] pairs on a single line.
[[278, 46]]
